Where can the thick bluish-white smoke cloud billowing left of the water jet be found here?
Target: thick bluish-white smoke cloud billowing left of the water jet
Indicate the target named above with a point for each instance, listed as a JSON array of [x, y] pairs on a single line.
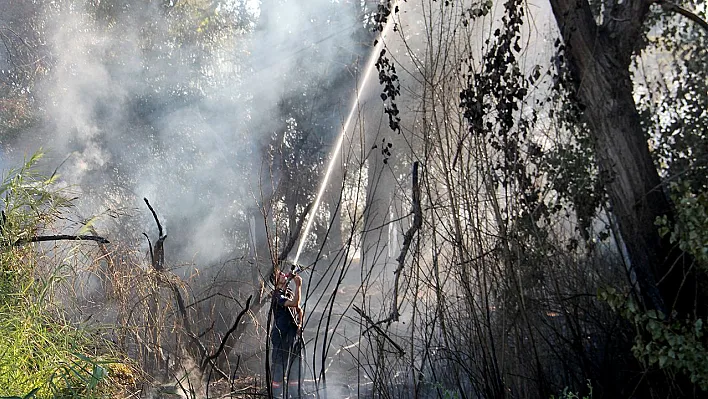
[[136, 110]]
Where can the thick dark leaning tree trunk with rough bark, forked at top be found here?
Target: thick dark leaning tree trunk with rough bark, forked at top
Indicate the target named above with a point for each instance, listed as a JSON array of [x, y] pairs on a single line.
[[599, 58]]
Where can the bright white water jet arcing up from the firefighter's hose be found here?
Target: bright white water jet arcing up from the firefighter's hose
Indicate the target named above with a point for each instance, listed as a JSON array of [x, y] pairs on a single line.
[[338, 147]]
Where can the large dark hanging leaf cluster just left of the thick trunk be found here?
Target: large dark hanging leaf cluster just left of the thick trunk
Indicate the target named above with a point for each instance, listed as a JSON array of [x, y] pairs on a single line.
[[493, 103]]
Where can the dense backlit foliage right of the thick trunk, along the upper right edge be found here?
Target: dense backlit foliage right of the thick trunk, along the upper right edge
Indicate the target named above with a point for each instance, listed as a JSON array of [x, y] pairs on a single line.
[[673, 103]]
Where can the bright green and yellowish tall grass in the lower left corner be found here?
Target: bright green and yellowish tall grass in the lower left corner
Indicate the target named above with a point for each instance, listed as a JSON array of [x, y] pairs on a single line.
[[42, 354]]
